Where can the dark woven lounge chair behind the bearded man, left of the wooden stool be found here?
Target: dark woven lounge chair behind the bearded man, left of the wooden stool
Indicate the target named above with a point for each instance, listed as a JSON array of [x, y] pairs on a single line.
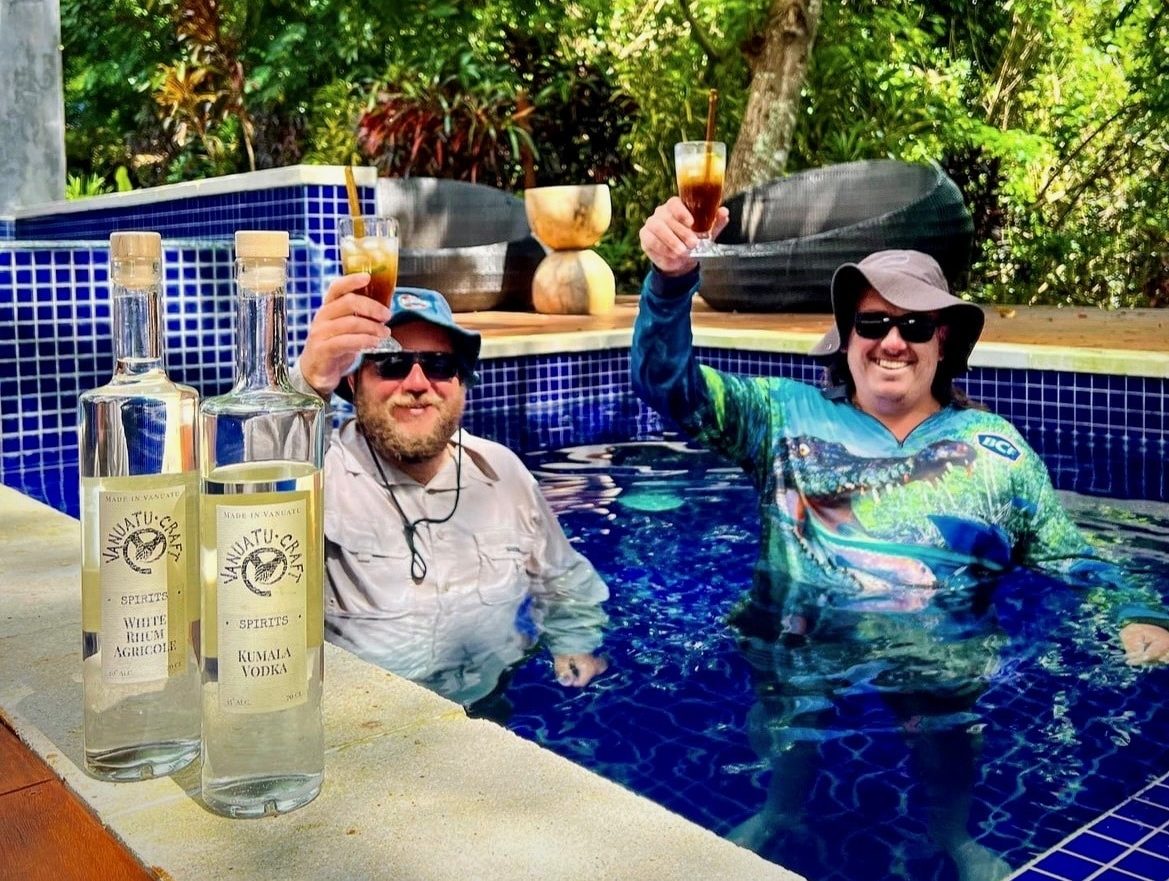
[[467, 241]]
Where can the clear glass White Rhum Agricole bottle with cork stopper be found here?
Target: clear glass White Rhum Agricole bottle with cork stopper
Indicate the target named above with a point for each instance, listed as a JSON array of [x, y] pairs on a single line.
[[139, 524]]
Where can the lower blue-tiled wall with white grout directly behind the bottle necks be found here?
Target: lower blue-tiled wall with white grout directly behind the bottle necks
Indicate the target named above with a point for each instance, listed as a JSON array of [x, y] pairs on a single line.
[[56, 337]]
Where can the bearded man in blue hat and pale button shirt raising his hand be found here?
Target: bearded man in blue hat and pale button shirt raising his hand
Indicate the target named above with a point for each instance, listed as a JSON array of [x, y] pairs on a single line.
[[445, 561]]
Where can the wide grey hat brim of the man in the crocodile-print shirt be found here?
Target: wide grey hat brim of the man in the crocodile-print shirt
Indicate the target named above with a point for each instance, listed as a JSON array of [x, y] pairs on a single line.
[[964, 320]]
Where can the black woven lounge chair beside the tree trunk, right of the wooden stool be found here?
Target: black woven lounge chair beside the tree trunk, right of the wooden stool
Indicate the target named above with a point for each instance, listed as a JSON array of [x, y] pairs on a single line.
[[786, 238]]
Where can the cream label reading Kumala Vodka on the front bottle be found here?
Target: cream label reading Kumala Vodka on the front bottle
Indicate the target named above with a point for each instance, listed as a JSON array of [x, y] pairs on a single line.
[[262, 606]]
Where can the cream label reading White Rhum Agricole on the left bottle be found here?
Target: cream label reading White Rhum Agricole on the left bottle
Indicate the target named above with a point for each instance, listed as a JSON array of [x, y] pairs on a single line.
[[143, 584]]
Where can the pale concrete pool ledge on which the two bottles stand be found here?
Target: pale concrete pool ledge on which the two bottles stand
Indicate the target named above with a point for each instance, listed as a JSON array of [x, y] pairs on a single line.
[[414, 789]]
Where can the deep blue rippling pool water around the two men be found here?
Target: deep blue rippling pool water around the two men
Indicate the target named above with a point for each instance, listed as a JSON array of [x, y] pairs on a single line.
[[1070, 730]]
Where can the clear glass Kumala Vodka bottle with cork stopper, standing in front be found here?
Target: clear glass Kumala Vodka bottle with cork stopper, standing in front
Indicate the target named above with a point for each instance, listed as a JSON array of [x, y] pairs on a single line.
[[262, 563]]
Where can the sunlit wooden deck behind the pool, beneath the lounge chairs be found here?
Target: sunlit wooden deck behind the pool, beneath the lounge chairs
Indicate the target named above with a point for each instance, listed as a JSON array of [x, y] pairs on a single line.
[[1145, 330]]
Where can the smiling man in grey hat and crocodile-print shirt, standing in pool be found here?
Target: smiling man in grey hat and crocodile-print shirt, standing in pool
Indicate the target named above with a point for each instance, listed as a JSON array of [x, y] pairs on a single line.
[[890, 510]]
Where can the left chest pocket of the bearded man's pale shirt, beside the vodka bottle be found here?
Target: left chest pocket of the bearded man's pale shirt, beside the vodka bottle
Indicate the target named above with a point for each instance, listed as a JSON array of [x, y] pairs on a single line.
[[370, 574]]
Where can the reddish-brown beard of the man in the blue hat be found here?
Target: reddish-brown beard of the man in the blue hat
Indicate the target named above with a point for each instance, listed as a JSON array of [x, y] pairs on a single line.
[[409, 443]]
